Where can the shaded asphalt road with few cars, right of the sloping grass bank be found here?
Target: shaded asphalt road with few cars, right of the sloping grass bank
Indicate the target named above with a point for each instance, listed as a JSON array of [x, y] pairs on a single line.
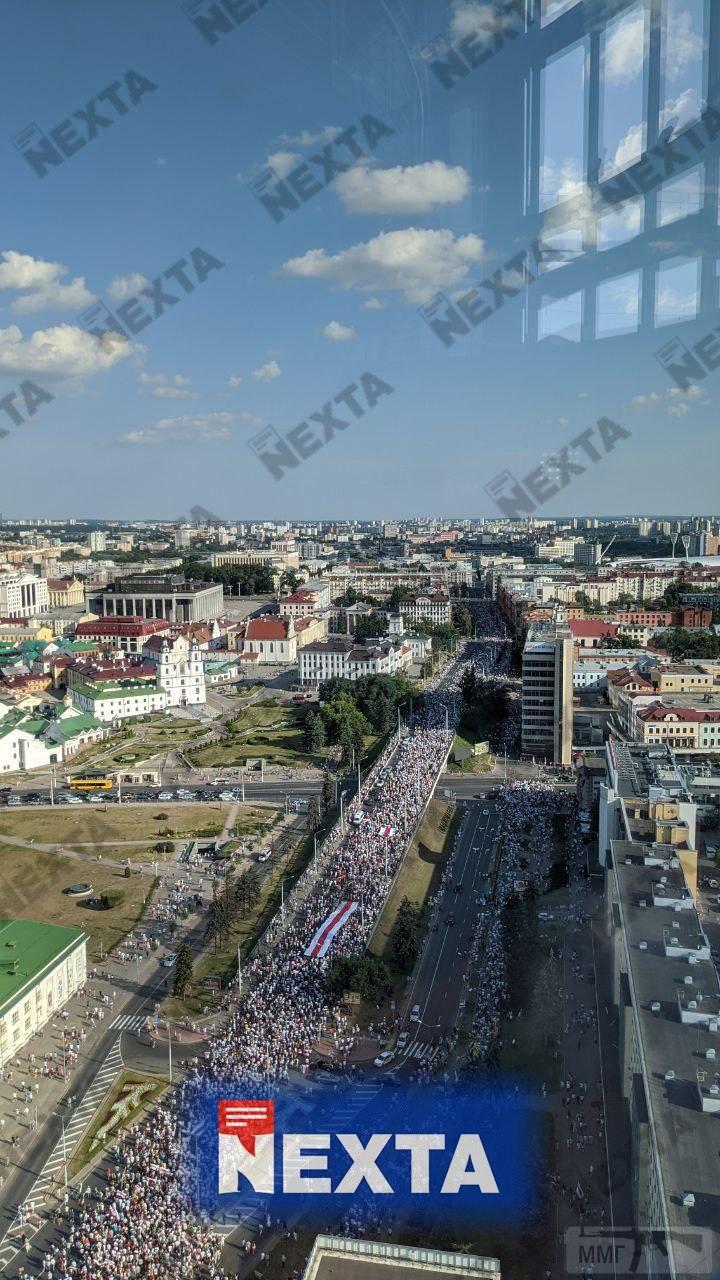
[[440, 981]]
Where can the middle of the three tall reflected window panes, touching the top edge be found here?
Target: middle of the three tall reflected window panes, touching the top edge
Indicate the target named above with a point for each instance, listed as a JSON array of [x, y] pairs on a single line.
[[622, 121]]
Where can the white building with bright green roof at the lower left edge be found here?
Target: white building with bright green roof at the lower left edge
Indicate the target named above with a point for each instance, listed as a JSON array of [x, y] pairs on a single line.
[[42, 967]]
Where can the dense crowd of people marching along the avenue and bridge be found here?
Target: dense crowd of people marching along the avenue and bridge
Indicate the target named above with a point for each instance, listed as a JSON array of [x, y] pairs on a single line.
[[139, 1224]]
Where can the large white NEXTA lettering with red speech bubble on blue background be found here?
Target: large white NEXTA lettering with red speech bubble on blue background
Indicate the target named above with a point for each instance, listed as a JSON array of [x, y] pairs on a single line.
[[341, 1164]]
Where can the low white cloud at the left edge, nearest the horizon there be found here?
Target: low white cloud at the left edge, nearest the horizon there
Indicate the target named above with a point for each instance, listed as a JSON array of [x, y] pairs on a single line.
[[65, 351]]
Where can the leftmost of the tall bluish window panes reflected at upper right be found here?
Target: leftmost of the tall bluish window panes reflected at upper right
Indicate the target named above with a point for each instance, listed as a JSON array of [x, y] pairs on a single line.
[[563, 150]]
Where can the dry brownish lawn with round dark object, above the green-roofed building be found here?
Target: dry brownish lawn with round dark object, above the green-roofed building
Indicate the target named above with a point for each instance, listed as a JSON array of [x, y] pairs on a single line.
[[33, 889]]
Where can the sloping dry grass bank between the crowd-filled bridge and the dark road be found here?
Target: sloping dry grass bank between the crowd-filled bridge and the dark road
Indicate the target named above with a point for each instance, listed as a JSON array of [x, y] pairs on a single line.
[[422, 870]]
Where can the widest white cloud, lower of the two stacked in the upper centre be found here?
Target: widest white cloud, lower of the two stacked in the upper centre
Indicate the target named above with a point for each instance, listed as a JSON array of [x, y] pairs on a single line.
[[414, 262]]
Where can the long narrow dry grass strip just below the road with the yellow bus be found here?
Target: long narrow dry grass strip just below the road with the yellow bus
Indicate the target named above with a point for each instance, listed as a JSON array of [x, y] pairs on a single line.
[[95, 825]]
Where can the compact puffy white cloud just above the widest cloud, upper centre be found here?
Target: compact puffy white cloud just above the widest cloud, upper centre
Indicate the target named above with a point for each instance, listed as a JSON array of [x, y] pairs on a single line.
[[403, 190]]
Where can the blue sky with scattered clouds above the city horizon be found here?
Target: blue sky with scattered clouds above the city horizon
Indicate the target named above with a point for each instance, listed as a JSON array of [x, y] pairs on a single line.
[[302, 309]]
